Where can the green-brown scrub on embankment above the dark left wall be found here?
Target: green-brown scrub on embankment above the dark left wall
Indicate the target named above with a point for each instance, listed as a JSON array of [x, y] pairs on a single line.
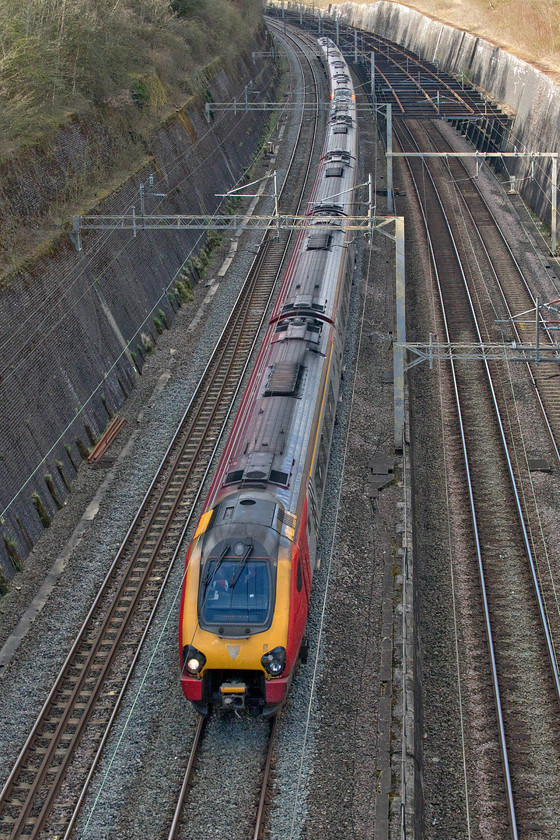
[[83, 85]]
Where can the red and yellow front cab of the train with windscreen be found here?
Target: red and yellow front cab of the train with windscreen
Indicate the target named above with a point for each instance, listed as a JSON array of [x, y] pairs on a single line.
[[241, 626]]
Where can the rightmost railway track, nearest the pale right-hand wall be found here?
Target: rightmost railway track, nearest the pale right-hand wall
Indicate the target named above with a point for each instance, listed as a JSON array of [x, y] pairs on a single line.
[[501, 291]]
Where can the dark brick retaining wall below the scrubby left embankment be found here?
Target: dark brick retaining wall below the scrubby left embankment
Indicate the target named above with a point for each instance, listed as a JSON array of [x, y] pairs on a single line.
[[70, 322]]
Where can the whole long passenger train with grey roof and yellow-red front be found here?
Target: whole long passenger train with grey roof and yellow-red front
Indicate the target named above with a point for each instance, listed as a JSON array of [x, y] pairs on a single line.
[[250, 564]]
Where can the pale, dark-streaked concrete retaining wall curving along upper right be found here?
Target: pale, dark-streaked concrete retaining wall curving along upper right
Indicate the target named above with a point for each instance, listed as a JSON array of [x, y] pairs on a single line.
[[532, 97]]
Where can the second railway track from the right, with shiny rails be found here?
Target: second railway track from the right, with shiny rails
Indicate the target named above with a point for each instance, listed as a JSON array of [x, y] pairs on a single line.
[[497, 528]]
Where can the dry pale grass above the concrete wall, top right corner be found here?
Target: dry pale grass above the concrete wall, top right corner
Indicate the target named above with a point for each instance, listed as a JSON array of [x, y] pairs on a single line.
[[529, 29]]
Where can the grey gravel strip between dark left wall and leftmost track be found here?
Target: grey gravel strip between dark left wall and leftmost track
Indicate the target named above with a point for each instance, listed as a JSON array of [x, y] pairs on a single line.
[[152, 412]]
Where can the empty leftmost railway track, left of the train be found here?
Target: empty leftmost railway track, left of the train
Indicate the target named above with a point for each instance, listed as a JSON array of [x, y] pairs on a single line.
[[50, 778]]
